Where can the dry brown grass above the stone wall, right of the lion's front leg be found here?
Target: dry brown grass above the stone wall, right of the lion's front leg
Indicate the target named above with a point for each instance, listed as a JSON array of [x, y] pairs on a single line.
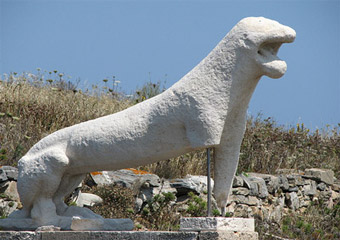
[[267, 146]]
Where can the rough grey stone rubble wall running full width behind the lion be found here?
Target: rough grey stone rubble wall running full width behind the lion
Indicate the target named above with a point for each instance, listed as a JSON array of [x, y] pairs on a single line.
[[265, 196]]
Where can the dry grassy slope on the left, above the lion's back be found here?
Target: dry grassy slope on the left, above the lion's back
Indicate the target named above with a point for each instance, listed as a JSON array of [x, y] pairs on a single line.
[[31, 108]]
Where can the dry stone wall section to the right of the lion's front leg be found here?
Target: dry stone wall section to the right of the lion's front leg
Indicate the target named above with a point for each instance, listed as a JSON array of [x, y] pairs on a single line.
[[269, 197]]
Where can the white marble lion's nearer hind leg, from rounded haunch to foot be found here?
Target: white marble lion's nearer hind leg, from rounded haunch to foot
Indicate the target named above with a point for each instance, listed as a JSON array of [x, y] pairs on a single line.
[[39, 179]]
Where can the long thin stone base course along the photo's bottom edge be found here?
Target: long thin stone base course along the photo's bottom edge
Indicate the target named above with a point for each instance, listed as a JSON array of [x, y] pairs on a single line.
[[129, 235]]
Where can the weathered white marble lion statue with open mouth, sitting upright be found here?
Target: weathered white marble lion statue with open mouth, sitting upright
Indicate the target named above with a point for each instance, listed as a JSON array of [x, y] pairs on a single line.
[[206, 108]]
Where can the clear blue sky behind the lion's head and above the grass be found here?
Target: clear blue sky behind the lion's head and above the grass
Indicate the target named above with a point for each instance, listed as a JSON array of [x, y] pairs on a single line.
[[138, 41]]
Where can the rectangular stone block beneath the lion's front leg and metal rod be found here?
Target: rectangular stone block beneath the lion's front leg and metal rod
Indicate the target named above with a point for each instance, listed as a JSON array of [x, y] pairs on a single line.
[[217, 224]]
